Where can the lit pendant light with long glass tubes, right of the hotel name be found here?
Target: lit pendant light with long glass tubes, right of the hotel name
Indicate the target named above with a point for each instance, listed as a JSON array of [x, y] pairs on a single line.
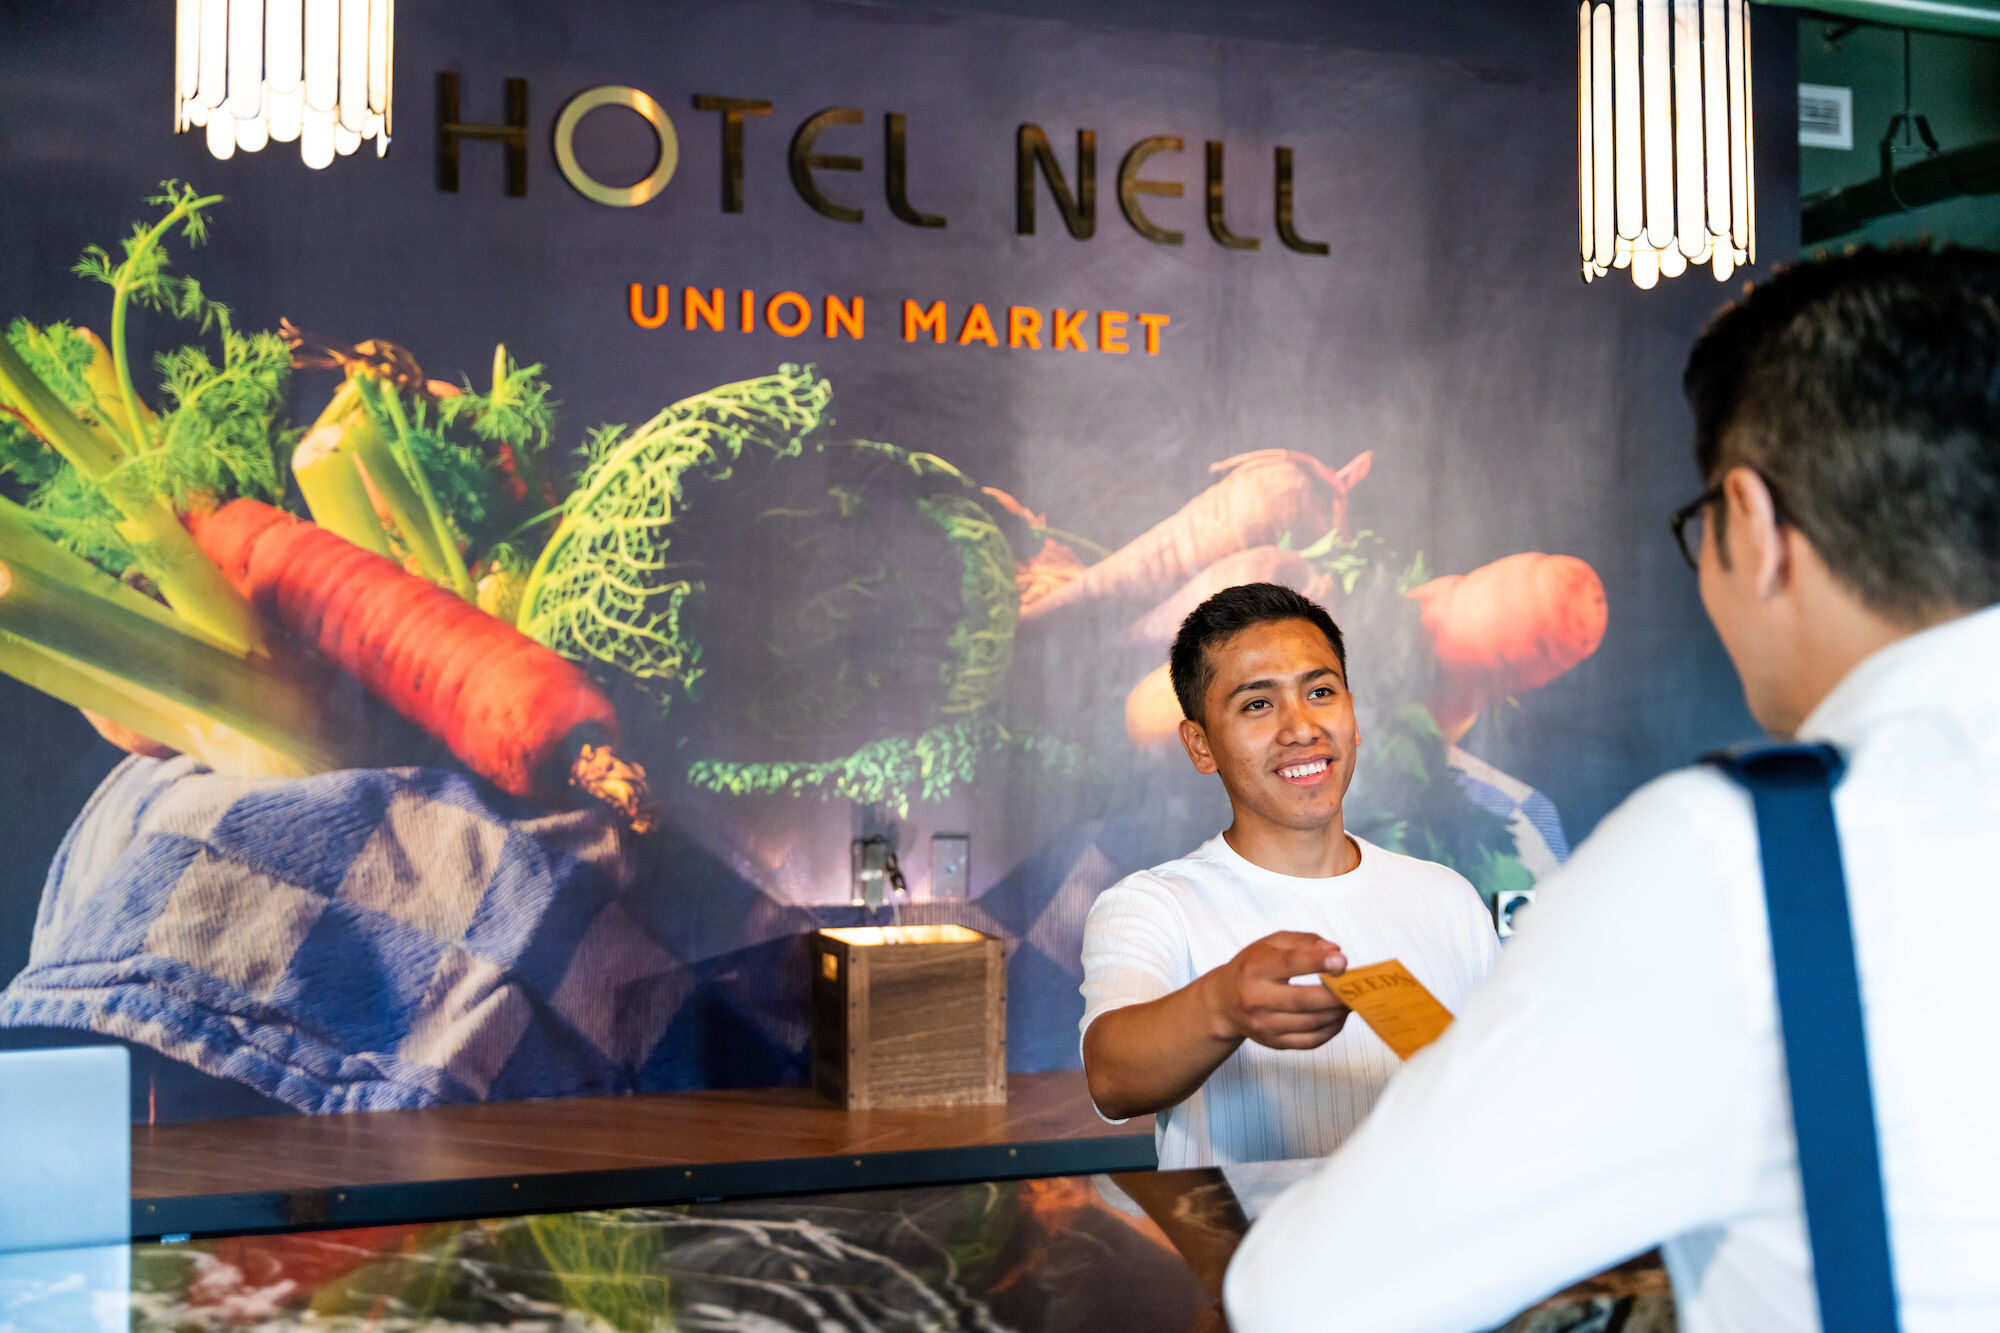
[[1663, 137]]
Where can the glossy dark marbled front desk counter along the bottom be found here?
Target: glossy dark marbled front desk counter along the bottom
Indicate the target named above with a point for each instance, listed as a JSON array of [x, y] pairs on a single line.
[[1139, 1254]]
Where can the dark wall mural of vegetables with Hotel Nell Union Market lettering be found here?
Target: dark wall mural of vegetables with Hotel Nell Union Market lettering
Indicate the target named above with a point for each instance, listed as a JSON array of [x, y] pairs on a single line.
[[501, 659]]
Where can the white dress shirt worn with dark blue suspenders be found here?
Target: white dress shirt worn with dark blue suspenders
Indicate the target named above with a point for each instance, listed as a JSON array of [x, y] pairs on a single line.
[[1619, 1082]]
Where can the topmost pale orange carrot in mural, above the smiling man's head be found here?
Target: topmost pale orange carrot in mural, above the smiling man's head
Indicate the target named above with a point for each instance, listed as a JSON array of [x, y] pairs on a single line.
[[1265, 497]]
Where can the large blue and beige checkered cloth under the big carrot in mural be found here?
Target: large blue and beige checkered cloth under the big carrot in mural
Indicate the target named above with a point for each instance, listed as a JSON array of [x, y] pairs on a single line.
[[351, 942]]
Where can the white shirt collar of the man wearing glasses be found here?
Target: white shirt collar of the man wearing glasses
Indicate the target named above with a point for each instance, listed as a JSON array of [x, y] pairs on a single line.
[[1941, 670]]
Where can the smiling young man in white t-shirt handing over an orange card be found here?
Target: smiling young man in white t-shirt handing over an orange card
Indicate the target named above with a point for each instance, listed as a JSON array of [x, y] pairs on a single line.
[[1201, 998]]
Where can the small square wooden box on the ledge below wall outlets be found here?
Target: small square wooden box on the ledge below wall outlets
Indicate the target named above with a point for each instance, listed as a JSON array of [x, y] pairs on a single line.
[[909, 1018]]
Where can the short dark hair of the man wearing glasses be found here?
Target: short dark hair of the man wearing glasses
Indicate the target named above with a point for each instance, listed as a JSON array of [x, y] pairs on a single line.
[[1867, 393]]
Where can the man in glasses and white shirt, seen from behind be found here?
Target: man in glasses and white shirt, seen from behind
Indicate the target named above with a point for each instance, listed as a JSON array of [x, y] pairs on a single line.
[[1627, 1048]]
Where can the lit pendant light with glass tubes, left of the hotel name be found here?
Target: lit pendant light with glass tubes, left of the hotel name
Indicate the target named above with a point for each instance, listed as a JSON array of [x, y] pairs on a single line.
[[309, 71]]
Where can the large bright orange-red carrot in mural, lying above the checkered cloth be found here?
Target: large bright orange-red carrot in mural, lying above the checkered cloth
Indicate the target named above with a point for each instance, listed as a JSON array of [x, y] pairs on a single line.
[[513, 712]]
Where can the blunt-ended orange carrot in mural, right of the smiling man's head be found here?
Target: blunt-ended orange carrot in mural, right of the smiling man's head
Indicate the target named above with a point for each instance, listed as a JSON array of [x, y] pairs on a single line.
[[1505, 629]]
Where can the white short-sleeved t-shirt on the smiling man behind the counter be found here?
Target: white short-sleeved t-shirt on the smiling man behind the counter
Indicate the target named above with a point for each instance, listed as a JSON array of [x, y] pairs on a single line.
[[1159, 930]]
